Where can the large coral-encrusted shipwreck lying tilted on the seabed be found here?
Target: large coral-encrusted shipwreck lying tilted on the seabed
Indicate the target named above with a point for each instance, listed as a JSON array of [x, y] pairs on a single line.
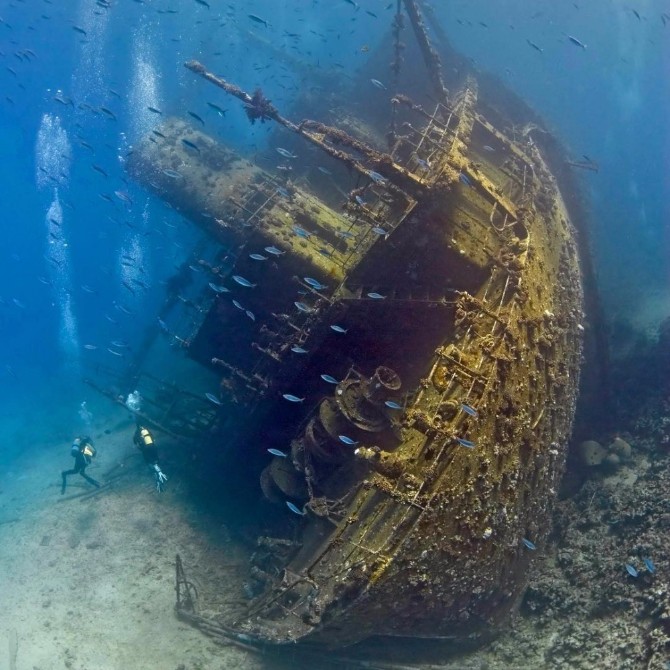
[[401, 326]]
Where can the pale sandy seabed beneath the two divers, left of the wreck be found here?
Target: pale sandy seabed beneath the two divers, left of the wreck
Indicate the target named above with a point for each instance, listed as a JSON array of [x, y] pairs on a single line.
[[87, 583]]
